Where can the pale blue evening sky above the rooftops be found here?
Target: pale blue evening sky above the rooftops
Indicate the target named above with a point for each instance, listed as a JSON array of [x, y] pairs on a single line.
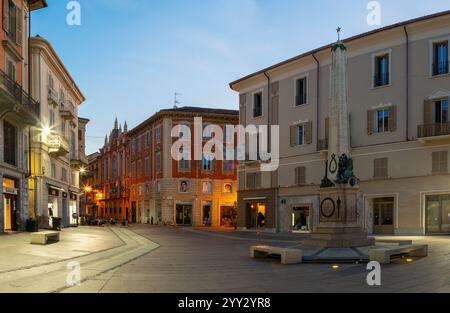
[[130, 56]]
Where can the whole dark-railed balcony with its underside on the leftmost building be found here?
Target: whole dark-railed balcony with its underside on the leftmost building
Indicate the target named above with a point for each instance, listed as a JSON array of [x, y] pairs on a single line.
[[13, 98]]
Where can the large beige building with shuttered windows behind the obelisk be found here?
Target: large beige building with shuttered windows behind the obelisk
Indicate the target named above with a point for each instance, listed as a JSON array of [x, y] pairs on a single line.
[[398, 93]]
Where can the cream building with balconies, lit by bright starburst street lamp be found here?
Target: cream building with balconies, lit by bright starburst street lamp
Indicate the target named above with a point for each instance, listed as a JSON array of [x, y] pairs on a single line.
[[58, 144]]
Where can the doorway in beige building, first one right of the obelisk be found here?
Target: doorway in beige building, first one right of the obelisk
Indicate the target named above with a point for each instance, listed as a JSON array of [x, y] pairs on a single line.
[[383, 216]]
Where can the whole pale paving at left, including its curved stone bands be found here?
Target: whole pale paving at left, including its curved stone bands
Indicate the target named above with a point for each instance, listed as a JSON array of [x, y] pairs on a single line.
[[96, 262]]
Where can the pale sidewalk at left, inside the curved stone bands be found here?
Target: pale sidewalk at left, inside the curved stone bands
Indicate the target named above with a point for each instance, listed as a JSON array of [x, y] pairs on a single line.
[[16, 252]]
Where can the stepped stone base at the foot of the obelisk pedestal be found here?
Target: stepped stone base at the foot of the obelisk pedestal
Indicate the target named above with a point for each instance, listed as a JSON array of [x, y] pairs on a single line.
[[339, 238]]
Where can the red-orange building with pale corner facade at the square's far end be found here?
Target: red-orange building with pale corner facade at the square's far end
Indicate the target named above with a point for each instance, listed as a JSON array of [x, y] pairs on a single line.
[[144, 184]]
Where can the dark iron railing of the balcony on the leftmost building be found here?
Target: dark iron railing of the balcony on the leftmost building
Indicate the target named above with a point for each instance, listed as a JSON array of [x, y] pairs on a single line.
[[19, 96]]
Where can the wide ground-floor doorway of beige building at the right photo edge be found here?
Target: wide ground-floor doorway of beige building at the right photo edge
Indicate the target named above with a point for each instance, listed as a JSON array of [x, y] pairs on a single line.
[[437, 214]]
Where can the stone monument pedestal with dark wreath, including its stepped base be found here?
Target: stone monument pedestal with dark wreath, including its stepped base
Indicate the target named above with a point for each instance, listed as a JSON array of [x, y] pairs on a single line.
[[338, 224]]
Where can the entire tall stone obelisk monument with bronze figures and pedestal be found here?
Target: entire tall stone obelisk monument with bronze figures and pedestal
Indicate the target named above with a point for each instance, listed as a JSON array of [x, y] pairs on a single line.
[[339, 217]]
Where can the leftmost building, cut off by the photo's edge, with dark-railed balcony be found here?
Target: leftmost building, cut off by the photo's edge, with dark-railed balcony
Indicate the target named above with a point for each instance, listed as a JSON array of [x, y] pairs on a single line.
[[18, 113]]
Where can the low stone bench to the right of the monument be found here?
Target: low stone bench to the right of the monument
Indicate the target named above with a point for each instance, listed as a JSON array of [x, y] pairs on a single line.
[[385, 255]]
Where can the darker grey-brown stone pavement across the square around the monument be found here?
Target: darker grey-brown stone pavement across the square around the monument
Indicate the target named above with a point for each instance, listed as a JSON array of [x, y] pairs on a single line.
[[192, 260]]
